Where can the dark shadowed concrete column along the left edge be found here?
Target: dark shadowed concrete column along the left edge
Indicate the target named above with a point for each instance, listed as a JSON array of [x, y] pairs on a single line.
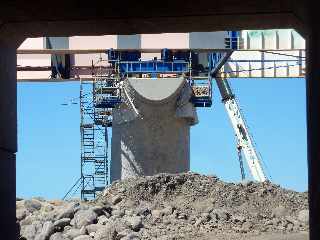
[[8, 139]]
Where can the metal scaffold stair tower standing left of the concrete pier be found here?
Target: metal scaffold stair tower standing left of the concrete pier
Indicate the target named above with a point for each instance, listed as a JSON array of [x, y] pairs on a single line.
[[96, 117]]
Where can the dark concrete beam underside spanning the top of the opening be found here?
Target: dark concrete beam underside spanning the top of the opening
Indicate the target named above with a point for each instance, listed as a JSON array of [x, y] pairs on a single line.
[[21, 20]]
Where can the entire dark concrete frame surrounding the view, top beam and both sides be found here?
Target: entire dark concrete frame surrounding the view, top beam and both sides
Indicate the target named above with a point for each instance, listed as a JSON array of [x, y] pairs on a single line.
[[21, 19]]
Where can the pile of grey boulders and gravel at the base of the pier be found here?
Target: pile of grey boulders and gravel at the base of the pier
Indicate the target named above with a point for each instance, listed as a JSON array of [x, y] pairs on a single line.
[[167, 206]]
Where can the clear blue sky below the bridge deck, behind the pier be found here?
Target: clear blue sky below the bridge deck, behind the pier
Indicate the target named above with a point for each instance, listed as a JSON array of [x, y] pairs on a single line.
[[49, 140]]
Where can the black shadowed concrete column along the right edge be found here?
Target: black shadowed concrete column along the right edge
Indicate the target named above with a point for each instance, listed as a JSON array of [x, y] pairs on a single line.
[[313, 120]]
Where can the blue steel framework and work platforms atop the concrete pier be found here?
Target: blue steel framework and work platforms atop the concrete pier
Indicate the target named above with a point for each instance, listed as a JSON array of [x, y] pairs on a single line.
[[171, 62]]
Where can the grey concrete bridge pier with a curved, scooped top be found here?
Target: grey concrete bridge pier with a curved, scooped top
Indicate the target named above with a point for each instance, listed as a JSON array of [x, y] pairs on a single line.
[[151, 129]]
